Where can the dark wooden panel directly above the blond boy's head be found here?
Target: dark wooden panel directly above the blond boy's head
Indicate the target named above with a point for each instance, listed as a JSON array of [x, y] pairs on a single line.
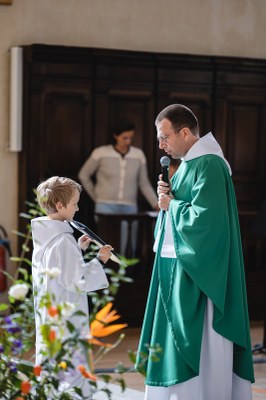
[[65, 111]]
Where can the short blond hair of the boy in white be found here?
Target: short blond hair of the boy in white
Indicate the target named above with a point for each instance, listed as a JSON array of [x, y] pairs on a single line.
[[56, 189]]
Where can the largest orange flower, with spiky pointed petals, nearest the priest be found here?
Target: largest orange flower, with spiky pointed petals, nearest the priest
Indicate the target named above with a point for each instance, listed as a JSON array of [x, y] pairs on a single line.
[[100, 326]]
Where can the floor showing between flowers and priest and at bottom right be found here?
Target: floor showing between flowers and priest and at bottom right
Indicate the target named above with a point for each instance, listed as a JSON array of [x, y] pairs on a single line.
[[134, 381]]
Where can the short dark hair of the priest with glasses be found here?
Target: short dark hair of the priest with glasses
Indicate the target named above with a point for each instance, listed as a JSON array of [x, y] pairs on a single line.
[[180, 117]]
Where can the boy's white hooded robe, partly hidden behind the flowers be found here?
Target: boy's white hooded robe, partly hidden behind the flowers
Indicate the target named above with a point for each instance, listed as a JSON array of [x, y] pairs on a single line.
[[55, 246]]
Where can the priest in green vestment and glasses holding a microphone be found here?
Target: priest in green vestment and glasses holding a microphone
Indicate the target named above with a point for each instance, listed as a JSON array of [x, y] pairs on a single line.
[[197, 307]]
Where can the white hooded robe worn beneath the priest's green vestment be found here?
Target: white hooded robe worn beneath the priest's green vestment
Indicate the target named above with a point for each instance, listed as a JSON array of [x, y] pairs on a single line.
[[216, 380]]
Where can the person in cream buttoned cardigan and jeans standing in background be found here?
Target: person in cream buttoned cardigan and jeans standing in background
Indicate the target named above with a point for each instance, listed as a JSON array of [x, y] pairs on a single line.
[[120, 170]]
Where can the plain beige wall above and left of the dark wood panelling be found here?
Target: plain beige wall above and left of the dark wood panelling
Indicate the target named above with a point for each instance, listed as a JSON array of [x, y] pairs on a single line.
[[207, 27]]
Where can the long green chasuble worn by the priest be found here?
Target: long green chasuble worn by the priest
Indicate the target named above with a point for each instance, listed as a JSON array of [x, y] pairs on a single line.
[[208, 264]]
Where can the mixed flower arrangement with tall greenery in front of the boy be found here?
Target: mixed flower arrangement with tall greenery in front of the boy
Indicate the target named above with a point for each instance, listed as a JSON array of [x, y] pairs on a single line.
[[20, 378]]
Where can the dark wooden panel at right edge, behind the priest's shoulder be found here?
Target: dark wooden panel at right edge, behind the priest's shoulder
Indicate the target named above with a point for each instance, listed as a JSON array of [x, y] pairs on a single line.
[[240, 125]]
